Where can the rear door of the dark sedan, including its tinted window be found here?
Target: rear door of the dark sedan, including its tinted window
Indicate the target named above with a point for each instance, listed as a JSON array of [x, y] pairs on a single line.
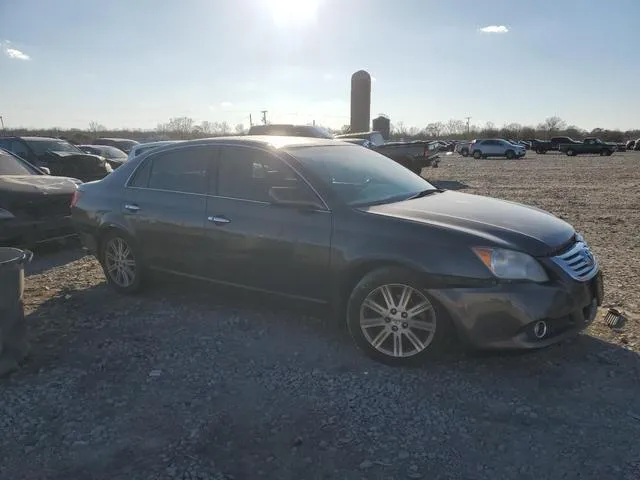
[[165, 205]]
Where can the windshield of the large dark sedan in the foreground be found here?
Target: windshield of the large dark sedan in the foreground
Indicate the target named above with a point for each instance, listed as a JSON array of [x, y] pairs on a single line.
[[360, 176]]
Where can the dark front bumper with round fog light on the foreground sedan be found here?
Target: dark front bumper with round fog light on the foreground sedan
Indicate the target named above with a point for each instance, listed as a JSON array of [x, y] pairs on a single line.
[[505, 316]]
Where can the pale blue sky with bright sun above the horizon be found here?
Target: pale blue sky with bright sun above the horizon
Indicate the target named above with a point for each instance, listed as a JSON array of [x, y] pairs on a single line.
[[134, 64]]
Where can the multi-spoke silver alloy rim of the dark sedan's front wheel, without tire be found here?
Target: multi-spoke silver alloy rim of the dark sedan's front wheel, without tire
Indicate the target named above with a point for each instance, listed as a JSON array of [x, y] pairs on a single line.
[[397, 320]]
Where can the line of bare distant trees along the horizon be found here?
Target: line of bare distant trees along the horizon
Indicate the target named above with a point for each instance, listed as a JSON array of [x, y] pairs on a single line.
[[185, 128]]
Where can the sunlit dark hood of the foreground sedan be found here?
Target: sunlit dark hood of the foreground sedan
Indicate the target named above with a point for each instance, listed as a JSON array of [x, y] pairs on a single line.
[[495, 222]]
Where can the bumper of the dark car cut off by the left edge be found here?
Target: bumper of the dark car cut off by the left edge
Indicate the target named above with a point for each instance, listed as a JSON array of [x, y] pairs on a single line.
[[35, 232]]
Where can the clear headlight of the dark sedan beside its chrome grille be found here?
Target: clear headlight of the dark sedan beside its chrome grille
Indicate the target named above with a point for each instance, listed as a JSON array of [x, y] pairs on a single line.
[[511, 265]]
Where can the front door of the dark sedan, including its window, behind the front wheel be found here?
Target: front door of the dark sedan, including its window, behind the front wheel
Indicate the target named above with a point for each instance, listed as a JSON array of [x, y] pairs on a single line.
[[258, 243]]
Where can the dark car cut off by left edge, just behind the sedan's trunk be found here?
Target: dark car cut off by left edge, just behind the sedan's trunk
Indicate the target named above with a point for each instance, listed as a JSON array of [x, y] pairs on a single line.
[[34, 206]]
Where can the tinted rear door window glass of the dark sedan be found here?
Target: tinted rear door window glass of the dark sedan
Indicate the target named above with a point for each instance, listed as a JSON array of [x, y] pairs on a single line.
[[183, 170]]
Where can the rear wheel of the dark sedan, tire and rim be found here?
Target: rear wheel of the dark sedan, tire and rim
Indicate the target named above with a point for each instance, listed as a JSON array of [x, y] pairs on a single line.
[[121, 262]]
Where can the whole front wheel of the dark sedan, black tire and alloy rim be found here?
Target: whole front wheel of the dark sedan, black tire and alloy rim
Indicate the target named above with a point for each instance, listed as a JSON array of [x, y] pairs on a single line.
[[393, 320]]
